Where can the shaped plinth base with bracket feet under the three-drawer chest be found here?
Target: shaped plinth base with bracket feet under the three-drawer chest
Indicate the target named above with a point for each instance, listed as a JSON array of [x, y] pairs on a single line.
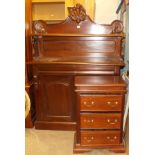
[[77, 148]]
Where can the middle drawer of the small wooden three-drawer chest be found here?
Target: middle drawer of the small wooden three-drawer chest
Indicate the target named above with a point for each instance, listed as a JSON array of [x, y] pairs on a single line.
[[100, 121]]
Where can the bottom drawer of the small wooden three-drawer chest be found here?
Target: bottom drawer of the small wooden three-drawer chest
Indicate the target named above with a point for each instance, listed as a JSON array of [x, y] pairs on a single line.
[[100, 137]]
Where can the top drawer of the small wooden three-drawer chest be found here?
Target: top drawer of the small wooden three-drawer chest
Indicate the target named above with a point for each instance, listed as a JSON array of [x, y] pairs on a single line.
[[101, 102]]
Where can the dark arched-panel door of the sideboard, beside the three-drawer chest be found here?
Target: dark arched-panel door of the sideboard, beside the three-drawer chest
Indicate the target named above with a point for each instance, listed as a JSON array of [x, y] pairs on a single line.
[[56, 98]]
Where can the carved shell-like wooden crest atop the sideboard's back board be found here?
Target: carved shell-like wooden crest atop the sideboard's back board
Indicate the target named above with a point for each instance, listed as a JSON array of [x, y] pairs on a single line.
[[77, 13]]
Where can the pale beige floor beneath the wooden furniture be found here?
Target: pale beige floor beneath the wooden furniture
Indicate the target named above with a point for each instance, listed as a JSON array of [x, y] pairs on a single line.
[[48, 142]]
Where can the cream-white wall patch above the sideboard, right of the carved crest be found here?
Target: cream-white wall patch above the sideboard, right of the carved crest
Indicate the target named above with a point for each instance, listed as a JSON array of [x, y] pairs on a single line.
[[105, 11]]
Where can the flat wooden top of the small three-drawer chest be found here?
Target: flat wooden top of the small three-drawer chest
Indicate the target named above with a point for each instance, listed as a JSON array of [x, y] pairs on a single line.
[[99, 81]]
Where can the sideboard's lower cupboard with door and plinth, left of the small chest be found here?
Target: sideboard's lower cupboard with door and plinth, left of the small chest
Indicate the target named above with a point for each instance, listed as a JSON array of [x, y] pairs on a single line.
[[55, 102]]
